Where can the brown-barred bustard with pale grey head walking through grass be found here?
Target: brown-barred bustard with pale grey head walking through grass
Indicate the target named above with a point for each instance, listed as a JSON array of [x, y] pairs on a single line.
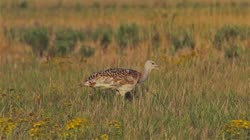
[[119, 79]]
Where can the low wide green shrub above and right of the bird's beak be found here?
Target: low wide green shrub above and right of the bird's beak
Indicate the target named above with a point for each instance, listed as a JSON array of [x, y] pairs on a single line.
[[183, 39]]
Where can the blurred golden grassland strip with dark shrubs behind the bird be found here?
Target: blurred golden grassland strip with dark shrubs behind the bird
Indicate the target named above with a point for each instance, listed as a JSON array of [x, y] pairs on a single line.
[[64, 27]]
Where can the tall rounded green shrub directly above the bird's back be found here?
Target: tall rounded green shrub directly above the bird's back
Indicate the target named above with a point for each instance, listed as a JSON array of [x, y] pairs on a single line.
[[127, 35]]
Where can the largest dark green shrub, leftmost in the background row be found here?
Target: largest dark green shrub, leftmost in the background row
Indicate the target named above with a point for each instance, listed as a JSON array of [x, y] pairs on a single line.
[[37, 38]]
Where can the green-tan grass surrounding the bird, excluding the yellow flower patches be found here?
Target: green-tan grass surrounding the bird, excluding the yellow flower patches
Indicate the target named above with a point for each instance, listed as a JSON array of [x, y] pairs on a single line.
[[194, 100]]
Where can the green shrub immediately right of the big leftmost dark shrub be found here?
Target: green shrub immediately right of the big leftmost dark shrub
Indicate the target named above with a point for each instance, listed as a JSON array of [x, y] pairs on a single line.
[[66, 40]]
